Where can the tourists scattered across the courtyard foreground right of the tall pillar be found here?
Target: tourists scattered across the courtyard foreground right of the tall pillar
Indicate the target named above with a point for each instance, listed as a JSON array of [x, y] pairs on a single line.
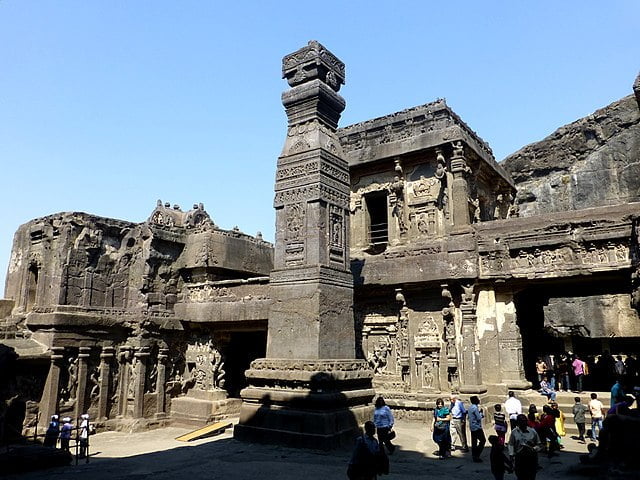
[[531, 433]]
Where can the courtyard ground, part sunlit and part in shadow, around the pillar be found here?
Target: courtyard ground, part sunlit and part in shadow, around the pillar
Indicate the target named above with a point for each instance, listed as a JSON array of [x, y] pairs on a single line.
[[157, 455]]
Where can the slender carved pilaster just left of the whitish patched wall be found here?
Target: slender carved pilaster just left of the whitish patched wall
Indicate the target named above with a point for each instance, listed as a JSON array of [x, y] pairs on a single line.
[[471, 376]]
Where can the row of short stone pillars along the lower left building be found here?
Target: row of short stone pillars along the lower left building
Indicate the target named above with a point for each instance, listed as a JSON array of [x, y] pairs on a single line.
[[51, 395]]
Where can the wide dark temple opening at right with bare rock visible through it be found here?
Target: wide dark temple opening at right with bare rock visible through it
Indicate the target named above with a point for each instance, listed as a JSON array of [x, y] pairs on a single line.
[[584, 317]]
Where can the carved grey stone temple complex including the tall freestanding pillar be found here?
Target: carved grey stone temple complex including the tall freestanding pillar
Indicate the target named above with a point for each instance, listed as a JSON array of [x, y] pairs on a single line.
[[403, 265]]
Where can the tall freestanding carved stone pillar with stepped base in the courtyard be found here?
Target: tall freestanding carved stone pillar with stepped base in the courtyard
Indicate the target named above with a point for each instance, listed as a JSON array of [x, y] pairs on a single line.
[[310, 391]]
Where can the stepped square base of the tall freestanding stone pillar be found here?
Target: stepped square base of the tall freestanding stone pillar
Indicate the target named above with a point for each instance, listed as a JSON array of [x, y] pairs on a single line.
[[305, 403]]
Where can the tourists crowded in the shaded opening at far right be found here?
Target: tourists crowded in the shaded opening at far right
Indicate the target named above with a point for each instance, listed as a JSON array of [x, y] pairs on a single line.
[[572, 372]]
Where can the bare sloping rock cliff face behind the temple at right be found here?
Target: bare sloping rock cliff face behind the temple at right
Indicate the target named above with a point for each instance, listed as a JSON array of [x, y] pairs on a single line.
[[594, 161]]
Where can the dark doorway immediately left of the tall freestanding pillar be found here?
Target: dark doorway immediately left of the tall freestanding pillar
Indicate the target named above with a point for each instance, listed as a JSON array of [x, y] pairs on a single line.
[[243, 348]]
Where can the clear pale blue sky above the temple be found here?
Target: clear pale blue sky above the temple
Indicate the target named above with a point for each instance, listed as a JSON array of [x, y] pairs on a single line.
[[107, 106]]
